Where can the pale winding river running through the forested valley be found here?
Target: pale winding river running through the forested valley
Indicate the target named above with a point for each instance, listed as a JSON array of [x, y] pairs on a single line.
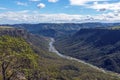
[[52, 49]]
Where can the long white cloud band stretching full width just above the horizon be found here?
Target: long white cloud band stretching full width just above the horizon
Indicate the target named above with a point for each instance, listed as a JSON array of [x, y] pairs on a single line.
[[34, 17]]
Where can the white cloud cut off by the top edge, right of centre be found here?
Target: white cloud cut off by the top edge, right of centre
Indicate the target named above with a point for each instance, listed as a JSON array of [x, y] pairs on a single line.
[[82, 2]]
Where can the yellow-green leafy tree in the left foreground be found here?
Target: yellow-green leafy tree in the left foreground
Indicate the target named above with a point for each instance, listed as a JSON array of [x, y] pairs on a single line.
[[17, 59]]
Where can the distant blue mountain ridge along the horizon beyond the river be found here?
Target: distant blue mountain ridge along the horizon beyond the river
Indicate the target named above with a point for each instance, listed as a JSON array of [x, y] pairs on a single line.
[[56, 29]]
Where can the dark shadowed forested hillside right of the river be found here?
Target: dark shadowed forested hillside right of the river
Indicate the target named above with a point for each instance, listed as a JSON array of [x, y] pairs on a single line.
[[100, 47]]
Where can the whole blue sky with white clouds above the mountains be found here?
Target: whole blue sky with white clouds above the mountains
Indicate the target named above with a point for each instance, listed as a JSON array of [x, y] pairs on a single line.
[[59, 11]]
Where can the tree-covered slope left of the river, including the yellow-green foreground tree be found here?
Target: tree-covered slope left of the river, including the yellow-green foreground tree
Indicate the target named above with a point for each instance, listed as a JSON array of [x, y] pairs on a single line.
[[28, 58]]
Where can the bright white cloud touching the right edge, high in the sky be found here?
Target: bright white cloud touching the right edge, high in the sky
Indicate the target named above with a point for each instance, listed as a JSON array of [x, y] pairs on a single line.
[[106, 6]]
